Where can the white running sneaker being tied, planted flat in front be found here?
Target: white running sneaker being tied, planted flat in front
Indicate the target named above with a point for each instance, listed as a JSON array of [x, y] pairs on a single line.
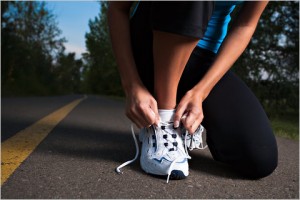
[[163, 152]]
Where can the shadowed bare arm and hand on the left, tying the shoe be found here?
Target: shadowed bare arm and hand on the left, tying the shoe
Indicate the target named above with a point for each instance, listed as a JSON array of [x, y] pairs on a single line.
[[141, 107]]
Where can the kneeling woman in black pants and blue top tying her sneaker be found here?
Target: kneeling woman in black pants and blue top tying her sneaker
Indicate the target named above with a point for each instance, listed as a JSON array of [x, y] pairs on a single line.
[[174, 60]]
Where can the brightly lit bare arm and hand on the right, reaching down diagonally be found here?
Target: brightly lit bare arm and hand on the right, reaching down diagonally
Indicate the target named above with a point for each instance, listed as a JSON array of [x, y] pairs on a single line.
[[232, 47]]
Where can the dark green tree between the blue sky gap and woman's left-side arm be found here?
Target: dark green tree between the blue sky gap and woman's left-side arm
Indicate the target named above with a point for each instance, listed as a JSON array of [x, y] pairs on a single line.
[[100, 74]]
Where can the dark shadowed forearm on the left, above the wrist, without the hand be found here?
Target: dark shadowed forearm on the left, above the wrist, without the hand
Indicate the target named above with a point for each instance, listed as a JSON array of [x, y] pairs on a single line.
[[118, 21]]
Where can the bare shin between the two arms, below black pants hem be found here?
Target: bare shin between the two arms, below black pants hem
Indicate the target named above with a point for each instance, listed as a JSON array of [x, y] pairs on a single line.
[[171, 53]]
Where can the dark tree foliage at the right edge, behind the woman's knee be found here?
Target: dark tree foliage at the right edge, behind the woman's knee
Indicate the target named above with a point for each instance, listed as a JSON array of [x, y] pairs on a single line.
[[270, 64]]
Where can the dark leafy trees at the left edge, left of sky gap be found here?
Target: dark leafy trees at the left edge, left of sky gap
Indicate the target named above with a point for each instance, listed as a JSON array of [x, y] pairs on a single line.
[[30, 46]]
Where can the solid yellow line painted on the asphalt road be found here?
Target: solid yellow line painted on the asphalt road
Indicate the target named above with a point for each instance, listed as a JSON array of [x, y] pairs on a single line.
[[17, 148]]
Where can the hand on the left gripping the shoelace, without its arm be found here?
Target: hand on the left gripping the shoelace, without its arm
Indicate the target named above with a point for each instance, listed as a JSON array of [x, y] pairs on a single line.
[[141, 107]]
